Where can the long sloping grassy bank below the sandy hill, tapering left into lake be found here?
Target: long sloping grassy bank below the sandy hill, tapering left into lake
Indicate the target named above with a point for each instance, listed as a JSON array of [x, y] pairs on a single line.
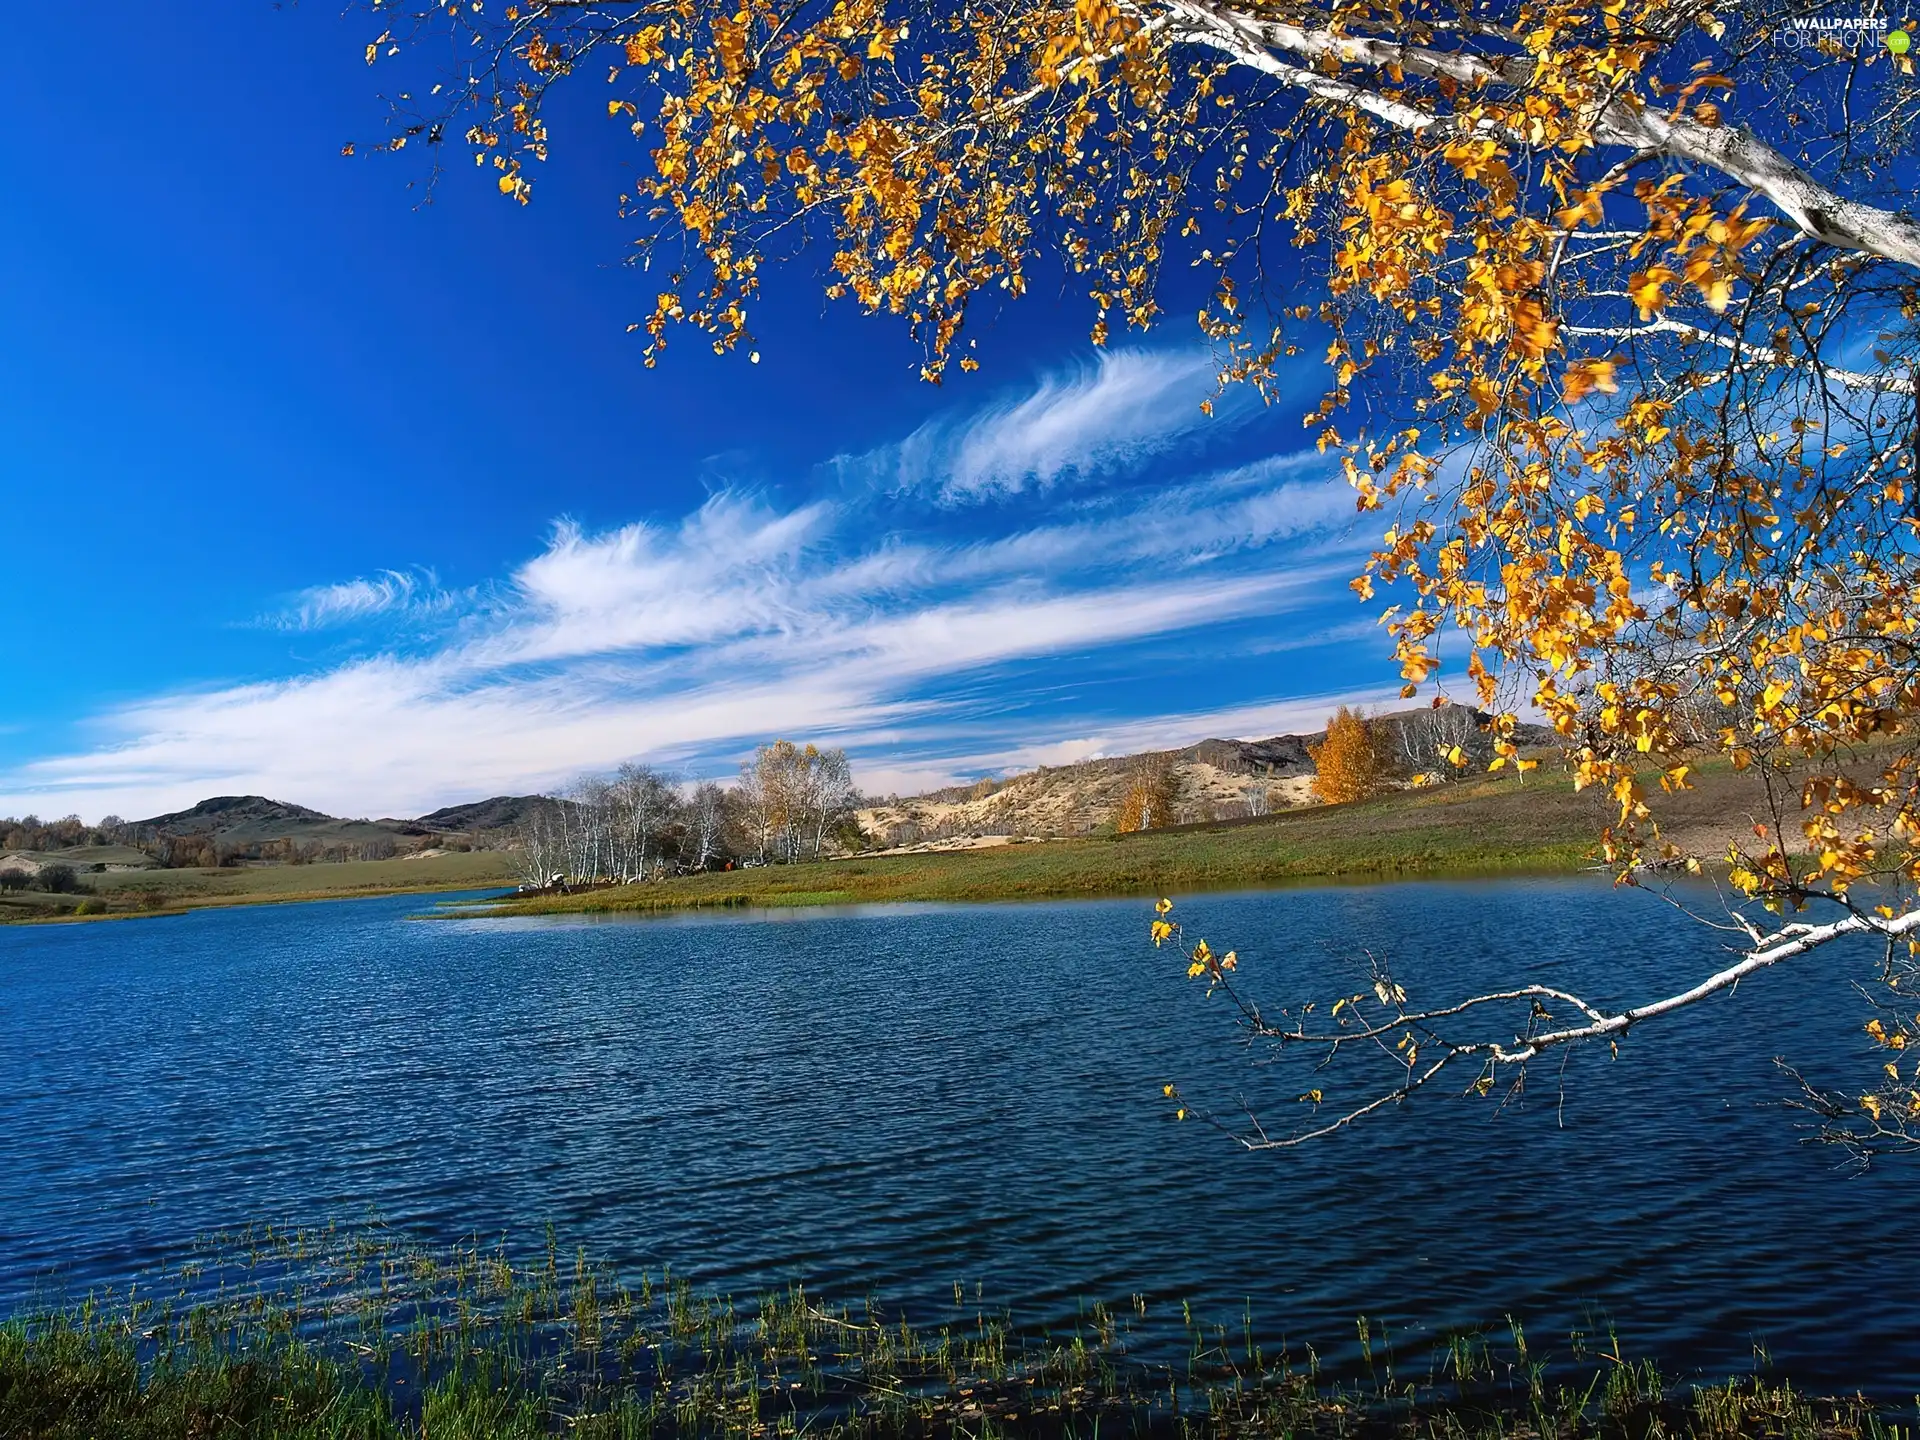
[[1481, 828]]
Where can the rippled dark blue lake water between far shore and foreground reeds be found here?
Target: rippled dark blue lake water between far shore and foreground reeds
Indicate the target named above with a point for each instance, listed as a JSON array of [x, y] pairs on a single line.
[[896, 1099]]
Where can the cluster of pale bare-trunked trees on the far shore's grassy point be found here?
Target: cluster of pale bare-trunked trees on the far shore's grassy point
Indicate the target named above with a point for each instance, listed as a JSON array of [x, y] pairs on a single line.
[[640, 823]]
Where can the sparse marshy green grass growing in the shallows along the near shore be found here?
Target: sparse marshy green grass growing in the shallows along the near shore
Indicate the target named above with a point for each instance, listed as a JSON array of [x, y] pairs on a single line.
[[362, 1335]]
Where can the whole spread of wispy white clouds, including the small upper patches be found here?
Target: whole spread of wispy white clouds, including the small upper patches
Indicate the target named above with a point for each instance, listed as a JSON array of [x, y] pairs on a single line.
[[688, 640]]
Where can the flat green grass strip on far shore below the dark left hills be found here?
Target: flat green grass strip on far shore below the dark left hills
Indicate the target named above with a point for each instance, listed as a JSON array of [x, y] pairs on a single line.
[[128, 894]]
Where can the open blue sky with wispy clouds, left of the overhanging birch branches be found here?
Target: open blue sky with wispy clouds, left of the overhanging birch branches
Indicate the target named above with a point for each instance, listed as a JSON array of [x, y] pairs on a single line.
[[322, 494]]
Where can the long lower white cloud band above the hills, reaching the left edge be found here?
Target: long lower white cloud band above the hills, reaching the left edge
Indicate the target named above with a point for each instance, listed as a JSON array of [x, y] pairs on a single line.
[[400, 734]]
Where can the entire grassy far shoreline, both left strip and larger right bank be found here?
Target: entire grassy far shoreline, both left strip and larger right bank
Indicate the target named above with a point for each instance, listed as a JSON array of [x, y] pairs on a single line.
[[1491, 827]]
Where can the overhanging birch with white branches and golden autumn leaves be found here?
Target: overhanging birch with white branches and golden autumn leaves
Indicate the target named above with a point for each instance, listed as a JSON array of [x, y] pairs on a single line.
[[1618, 306]]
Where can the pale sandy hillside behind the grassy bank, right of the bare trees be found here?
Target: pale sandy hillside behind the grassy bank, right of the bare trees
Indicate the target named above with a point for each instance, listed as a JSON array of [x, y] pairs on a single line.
[[1214, 780]]
